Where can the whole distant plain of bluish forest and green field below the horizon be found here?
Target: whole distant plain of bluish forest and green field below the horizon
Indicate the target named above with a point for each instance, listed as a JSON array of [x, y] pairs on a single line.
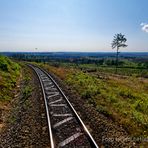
[[130, 64]]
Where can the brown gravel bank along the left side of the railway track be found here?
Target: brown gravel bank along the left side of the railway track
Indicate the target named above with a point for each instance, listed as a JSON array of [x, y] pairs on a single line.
[[26, 125]]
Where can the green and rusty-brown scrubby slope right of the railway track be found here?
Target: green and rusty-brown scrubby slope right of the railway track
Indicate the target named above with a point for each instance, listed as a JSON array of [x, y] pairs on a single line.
[[122, 98]]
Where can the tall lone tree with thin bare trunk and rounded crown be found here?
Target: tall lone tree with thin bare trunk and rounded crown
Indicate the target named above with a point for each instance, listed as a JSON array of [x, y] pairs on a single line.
[[118, 41]]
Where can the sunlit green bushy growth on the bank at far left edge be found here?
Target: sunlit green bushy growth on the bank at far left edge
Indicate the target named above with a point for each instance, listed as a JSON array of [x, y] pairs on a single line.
[[9, 74]]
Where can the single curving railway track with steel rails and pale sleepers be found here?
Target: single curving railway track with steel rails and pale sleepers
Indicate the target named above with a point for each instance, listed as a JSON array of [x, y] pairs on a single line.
[[65, 127]]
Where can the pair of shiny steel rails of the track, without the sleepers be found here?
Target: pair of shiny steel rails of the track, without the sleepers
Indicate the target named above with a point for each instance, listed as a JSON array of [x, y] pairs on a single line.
[[91, 140]]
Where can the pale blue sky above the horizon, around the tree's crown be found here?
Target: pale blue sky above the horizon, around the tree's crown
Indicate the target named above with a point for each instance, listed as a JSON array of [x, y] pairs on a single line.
[[72, 25]]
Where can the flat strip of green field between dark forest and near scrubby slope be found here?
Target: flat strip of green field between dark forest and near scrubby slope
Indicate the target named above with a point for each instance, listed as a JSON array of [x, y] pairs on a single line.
[[126, 67]]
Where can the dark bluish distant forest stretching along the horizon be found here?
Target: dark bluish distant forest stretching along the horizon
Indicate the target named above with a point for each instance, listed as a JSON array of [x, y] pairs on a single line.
[[98, 58]]
